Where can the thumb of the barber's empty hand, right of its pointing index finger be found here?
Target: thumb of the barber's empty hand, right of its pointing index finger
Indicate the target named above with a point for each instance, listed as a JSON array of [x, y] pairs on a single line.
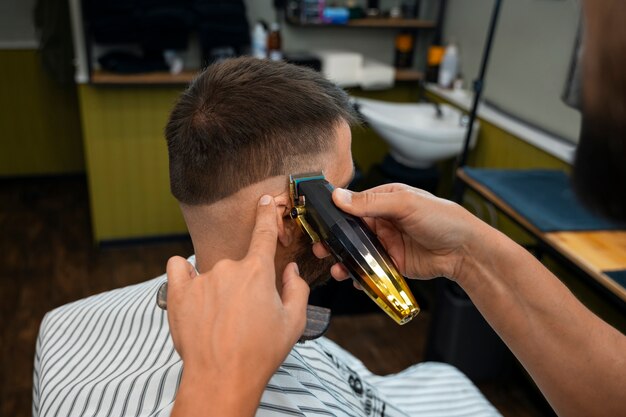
[[295, 295]]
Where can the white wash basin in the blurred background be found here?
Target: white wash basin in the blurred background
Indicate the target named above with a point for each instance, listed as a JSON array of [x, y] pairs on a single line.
[[416, 136]]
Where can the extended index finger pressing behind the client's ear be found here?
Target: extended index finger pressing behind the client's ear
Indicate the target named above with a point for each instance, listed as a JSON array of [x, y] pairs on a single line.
[[265, 233]]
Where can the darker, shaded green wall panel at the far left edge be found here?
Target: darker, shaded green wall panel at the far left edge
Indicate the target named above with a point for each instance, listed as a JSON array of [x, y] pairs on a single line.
[[39, 120]]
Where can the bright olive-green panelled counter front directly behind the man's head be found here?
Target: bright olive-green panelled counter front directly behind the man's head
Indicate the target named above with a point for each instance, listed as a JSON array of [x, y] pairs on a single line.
[[127, 163]]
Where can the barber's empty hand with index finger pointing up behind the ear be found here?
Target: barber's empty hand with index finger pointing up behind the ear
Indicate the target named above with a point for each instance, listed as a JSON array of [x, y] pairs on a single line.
[[230, 325]]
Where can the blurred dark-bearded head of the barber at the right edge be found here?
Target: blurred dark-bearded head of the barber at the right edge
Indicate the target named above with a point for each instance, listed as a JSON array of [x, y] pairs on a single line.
[[600, 166]]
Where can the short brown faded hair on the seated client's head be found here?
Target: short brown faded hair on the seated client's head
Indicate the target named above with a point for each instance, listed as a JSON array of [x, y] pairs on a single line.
[[246, 119]]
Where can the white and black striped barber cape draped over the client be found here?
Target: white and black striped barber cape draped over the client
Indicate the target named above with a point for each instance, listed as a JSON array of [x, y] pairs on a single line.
[[112, 355]]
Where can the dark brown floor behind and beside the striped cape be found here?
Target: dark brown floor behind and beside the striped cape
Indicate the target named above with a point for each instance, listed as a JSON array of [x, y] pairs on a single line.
[[47, 258]]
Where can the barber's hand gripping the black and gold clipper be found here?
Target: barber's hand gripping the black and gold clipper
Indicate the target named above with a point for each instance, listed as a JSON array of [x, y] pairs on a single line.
[[426, 236]]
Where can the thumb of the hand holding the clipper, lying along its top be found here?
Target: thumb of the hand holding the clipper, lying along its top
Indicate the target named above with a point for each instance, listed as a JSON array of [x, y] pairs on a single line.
[[366, 203]]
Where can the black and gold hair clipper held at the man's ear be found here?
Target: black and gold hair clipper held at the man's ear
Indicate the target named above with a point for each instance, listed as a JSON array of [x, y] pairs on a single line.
[[352, 243]]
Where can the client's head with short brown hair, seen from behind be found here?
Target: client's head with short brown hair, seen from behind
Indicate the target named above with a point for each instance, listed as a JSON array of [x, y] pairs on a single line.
[[237, 133]]
